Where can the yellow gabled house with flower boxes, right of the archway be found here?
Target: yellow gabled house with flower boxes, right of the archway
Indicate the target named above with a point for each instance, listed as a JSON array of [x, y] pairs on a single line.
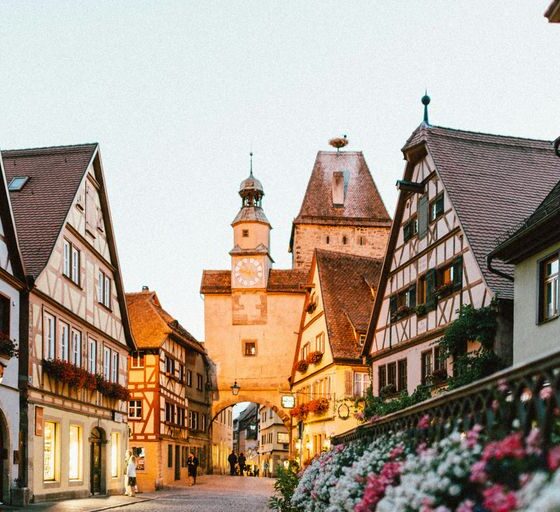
[[328, 372]]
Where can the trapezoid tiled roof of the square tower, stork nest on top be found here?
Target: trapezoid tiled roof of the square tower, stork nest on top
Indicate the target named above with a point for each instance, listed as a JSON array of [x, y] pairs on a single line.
[[362, 199]]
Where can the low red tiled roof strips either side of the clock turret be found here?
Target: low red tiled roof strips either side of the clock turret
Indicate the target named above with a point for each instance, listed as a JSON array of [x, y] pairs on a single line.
[[279, 280]]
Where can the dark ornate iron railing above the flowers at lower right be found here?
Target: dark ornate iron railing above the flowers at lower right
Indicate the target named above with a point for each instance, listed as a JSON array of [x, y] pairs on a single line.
[[521, 397]]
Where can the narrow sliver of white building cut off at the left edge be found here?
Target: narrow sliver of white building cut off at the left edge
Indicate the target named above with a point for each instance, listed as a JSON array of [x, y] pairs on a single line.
[[11, 285]]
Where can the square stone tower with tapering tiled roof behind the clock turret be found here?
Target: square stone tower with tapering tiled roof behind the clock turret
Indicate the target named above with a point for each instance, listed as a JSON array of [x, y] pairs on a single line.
[[342, 210]]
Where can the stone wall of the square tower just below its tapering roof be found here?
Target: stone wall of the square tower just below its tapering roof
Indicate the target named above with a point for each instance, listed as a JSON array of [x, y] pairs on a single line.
[[360, 241]]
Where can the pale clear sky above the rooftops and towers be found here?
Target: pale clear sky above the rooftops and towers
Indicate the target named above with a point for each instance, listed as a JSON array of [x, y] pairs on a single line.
[[178, 92]]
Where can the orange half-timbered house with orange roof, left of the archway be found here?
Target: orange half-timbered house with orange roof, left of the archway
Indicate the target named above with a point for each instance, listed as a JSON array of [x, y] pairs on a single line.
[[169, 398]]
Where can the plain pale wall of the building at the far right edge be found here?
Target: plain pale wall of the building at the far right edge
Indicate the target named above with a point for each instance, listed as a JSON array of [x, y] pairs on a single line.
[[531, 339]]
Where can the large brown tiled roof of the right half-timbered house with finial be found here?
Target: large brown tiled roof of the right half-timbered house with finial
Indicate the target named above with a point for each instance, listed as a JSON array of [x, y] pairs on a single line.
[[493, 182]]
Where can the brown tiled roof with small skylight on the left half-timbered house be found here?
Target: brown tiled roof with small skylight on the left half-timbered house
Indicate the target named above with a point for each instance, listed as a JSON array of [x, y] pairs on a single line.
[[41, 207]]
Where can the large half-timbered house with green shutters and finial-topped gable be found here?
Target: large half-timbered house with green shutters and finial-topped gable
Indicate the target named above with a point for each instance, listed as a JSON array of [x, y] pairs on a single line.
[[460, 190]]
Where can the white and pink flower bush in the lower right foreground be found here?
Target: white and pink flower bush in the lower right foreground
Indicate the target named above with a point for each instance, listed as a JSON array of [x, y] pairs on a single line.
[[463, 472]]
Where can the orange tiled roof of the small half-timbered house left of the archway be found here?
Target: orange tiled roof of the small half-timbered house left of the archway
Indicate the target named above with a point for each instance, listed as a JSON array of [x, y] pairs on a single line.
[[152, 325]]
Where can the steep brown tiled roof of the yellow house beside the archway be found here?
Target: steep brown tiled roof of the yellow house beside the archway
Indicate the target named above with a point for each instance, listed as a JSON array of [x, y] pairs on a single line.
[[346, 282]]
